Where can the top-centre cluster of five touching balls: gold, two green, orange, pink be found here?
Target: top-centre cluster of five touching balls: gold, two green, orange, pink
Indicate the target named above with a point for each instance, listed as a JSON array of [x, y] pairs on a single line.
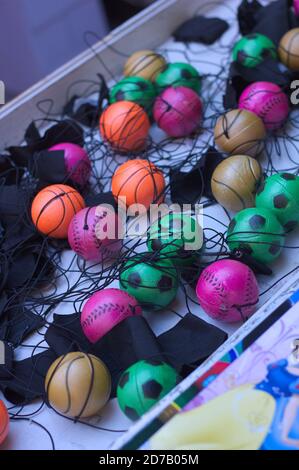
[[151, 88]]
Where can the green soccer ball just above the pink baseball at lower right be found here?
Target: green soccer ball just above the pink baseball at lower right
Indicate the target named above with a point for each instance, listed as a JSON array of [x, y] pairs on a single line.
[[258, 232]]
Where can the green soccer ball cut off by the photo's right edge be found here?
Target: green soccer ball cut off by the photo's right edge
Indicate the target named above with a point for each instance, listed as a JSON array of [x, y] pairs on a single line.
[[280, 194]]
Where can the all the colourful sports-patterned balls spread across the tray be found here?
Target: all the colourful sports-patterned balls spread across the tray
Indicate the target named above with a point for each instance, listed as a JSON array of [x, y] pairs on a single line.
[[78, 385]]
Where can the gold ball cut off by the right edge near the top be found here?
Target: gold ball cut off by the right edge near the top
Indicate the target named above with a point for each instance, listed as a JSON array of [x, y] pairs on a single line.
[[288, 50]]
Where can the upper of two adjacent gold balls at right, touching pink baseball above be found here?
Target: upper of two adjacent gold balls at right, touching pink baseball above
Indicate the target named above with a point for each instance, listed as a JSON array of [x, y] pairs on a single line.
[[240, 132]]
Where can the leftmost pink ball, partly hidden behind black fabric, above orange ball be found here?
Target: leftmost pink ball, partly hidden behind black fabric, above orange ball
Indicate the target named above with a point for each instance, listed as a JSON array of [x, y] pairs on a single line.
[[76, 160]]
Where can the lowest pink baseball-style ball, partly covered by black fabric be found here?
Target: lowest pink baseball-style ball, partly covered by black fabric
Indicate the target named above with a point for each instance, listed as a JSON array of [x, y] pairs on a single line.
[[104, 310]]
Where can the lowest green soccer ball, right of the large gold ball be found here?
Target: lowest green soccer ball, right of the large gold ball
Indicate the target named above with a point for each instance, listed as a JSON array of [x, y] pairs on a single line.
[[142, 385]]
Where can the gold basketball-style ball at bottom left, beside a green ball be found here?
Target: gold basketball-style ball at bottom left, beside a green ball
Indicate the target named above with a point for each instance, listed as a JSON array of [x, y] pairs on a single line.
[[78, 385]]
